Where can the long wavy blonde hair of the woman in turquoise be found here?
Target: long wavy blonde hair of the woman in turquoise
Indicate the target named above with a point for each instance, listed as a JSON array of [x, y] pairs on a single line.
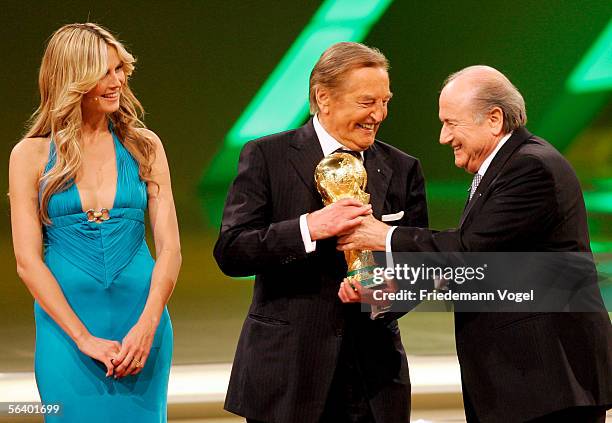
[[73, 63]]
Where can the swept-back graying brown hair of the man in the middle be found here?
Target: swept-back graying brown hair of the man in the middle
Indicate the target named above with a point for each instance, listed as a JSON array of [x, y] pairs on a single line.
[[336, 61]]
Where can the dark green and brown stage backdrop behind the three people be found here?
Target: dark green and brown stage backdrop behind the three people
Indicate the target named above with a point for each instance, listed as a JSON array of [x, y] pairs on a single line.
[[201, 62]]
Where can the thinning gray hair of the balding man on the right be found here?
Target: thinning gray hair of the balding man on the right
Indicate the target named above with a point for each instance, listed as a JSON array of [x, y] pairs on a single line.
[[494, 90]]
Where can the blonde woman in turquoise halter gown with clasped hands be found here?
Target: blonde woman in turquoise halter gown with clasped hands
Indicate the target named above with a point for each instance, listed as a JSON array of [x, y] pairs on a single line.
[[80, 183]]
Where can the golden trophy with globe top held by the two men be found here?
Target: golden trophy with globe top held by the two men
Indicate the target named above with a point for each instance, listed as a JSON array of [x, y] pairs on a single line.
[[338, 176]]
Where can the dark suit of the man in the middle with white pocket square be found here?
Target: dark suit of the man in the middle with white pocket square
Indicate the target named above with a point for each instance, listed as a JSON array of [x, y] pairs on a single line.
[[291, 338]]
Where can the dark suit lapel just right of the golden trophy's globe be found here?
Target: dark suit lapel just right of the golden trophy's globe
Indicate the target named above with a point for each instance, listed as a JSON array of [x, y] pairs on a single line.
[[379, 176]]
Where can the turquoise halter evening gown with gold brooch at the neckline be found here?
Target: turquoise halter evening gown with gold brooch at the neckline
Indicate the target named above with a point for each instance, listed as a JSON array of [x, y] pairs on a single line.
[[104, 270]]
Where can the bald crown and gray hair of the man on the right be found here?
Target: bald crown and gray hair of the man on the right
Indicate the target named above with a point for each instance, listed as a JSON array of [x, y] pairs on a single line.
[[486, 88]]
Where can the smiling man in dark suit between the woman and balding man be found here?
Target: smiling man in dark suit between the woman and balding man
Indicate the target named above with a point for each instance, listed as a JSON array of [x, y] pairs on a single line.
[[303, 355]]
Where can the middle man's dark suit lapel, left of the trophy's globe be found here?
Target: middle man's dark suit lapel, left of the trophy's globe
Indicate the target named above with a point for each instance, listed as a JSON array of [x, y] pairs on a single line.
[[305, 155]]
